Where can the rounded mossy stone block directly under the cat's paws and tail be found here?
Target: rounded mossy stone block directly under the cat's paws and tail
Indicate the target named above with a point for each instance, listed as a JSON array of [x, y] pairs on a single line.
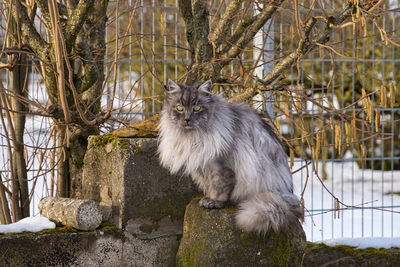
[[211, 238]]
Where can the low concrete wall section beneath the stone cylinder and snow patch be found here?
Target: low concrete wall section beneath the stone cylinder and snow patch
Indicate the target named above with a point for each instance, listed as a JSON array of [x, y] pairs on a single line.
[[67, 247]]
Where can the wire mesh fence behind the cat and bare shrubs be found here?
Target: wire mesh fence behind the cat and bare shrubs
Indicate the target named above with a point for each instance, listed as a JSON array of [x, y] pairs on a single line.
[[146, 45]]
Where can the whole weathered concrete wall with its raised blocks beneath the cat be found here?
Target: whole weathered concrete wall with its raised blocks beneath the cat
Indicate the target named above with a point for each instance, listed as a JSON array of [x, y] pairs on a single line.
[[147, 204]]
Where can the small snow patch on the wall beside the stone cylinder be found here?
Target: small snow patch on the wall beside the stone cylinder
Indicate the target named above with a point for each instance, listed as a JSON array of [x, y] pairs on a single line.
[[30, 224]]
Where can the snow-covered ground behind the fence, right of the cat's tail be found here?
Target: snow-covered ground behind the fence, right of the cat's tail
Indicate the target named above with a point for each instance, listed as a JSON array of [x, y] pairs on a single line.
[[356, 187]]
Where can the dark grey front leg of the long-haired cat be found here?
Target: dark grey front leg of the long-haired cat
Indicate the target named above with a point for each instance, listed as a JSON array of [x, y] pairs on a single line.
[[221, 183]]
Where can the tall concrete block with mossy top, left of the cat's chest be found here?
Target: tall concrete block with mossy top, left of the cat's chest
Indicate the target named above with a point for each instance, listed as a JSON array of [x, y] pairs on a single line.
[[125, 177]]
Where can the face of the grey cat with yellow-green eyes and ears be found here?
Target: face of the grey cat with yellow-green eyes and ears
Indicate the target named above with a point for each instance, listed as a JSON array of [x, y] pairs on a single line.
[[189, 106]]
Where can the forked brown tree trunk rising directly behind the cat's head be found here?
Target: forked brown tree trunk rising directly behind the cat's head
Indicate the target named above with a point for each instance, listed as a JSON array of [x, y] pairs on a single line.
[[205, 64]]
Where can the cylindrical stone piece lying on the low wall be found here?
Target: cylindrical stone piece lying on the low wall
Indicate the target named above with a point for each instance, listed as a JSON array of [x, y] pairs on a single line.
[[78, 213]]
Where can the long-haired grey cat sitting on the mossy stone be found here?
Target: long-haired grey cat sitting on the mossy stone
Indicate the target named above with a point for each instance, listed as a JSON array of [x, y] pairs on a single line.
[[231, 153]]
